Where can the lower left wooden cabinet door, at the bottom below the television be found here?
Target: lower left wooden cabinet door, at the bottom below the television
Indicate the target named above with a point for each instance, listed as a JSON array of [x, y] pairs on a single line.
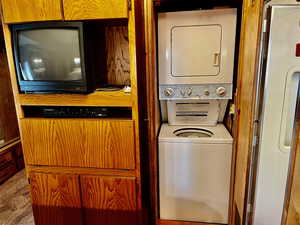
[[55, 199]]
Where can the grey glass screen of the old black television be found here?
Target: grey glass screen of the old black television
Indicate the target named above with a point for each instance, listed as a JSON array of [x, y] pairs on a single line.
[[49, 55]]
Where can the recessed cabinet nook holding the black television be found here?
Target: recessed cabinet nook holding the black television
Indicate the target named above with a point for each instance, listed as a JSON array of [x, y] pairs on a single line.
[[71, 57]]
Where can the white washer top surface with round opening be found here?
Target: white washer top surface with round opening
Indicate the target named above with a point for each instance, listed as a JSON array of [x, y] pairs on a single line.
[[195, 134]]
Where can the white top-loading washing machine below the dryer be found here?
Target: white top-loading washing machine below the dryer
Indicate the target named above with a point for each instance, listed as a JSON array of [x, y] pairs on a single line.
[[194, 173]]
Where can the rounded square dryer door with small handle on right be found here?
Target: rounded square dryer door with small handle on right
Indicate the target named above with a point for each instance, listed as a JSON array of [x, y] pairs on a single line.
[[196, 50]]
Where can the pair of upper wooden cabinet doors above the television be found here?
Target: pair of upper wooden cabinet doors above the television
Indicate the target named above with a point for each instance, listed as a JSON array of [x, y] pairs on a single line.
[[17, 11]]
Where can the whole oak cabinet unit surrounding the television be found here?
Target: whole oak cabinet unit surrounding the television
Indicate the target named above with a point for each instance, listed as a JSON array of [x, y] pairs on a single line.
[[83, 171]]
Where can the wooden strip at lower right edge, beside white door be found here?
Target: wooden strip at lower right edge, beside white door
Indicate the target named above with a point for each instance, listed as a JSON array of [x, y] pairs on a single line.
[[291, 215]]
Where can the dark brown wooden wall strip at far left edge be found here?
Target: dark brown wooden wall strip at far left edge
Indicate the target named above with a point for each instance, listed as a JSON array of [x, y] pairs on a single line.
[[8, 118]]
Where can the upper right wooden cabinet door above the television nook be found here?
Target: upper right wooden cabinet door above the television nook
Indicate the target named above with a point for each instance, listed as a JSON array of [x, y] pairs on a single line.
[[95, 9]]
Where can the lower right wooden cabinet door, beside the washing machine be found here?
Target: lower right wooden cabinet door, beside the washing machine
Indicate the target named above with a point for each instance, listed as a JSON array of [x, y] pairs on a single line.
[[111, 200]]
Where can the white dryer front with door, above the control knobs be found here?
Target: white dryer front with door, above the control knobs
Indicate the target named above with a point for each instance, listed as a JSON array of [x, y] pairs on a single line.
[[196, 47]]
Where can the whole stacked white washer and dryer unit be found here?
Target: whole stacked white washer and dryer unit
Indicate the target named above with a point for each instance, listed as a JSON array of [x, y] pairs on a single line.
[[196, 62]]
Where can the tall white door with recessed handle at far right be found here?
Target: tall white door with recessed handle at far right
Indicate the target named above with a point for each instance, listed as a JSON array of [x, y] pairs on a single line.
[[281, 83]]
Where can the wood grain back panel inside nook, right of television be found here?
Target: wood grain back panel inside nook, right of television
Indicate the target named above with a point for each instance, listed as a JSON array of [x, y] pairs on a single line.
[[117, 53]]
